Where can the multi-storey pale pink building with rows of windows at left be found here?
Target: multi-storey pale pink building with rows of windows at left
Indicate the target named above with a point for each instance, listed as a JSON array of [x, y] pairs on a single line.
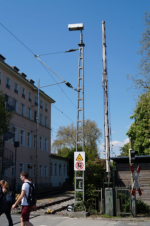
[[22, 97]]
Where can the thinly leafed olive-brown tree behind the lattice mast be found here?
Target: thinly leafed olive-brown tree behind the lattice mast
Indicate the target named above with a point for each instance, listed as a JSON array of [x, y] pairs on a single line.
[[66, 138]]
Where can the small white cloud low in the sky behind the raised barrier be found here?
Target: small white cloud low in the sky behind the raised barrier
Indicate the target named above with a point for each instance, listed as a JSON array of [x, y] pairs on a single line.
[[115, 146]]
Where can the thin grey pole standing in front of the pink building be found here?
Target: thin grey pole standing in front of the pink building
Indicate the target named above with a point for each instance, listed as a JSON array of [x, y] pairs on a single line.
[[37, 136]]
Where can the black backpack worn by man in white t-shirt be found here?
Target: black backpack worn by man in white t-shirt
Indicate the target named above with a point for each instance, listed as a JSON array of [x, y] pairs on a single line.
[[31, 199]]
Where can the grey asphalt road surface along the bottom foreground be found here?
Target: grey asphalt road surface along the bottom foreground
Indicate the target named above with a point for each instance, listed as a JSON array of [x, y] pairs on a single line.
[[55, 220]]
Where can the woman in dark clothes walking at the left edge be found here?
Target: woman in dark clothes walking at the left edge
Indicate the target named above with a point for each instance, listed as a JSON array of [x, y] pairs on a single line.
[[7, 210]]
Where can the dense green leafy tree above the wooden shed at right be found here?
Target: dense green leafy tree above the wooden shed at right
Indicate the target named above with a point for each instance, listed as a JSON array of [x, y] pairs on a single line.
[[140, 129]]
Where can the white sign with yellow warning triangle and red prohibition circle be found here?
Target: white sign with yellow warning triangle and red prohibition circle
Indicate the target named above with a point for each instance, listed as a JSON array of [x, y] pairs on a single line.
[[79, 161]]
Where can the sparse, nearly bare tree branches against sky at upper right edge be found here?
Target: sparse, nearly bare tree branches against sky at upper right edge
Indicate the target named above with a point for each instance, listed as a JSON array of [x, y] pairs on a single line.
[[142, 79]]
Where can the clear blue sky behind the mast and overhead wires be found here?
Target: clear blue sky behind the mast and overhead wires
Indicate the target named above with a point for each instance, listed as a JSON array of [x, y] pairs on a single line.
[[43, 27]]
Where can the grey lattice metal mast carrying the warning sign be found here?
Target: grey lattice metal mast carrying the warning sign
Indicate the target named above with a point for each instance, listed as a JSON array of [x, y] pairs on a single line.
[[80, 113]]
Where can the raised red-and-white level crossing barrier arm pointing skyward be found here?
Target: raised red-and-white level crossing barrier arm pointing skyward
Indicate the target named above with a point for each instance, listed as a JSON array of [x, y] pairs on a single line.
[[106, 119]]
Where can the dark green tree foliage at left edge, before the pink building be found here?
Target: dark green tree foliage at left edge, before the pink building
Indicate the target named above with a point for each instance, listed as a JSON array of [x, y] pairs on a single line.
[[5, 117]]
